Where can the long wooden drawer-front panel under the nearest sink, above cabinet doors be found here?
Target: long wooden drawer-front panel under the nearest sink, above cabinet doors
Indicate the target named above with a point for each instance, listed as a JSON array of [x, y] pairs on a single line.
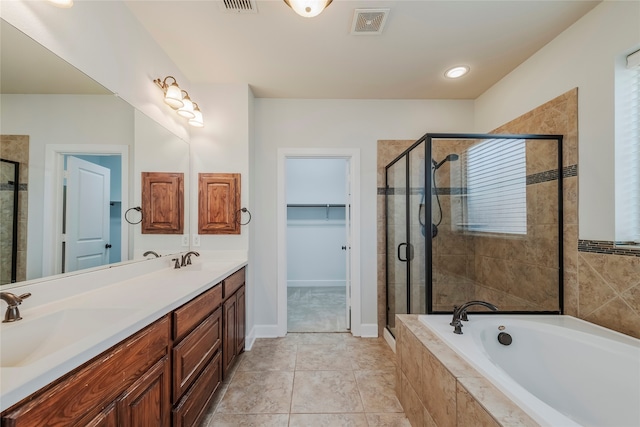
[[96, 383]]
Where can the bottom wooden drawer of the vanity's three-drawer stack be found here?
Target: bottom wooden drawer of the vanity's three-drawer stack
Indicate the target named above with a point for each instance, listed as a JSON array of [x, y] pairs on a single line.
[[195, 402]]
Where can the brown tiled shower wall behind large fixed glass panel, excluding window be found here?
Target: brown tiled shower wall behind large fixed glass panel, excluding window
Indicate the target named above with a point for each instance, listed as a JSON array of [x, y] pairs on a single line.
[[515, 272]]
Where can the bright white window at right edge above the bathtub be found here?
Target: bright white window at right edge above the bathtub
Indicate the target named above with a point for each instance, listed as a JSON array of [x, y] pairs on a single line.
[[627, 170]]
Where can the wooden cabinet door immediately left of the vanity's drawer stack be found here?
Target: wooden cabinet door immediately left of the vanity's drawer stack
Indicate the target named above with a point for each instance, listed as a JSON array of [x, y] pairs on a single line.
[[146, 403]]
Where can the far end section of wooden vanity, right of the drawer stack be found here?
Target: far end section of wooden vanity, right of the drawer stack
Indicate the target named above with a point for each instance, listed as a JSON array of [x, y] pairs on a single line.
[[233, 315]]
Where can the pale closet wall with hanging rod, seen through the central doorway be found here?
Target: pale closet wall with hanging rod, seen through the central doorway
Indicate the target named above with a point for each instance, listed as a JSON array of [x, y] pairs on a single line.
[[316, 197]]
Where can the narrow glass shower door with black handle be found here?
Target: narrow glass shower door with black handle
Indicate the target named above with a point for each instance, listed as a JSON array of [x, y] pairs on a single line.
[[396, 227]]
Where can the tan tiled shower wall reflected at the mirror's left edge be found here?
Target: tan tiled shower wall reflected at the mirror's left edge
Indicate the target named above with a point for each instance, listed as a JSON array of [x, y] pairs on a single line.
[[15, 148]]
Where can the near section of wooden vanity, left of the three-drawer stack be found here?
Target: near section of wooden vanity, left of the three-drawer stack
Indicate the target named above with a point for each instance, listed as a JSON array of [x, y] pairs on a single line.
[[130, 381]]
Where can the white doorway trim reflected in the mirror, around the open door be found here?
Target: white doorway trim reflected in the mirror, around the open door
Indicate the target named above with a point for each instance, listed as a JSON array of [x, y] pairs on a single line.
[[53, 201]]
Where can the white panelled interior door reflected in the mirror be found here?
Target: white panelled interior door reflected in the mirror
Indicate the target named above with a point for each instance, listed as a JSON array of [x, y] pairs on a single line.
[[87, 215]]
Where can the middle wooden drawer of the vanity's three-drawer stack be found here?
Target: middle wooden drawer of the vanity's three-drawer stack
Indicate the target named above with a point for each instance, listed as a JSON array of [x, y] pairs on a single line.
[[193, 353]]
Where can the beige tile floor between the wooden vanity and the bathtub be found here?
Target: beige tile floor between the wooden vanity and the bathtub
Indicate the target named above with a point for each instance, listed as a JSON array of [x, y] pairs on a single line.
[[310, 379]]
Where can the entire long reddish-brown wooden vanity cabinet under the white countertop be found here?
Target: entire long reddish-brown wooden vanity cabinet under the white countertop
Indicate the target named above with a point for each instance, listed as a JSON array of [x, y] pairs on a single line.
[[166, 374]]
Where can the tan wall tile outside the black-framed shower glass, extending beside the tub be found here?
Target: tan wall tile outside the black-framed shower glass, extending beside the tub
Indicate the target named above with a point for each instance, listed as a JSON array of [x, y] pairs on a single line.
[[601, 284]]
